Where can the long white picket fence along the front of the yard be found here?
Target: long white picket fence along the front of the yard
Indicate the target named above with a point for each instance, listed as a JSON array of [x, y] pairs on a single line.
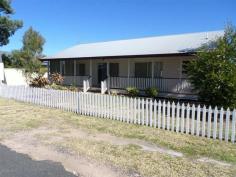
[[185, 118]]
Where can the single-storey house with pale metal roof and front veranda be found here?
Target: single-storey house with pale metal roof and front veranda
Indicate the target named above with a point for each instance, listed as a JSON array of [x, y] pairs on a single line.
[[146, 62]]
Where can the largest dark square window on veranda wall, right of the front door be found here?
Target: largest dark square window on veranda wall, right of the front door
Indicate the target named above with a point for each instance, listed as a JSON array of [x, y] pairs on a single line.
[[143, 69]]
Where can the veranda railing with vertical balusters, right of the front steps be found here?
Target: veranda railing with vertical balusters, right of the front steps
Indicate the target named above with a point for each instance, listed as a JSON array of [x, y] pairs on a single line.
[[169, 85]]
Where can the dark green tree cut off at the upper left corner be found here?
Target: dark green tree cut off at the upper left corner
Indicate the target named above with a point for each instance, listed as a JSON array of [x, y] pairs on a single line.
[[7, 26]]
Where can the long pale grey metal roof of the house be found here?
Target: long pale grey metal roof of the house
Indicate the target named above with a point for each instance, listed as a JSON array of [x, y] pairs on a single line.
[[172, 44]]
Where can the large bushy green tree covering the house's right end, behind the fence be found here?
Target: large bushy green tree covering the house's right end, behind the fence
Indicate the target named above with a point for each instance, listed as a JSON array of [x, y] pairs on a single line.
[[213, 73]]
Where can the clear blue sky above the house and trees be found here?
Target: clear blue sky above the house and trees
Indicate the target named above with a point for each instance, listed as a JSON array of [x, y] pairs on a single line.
[[65, 23]]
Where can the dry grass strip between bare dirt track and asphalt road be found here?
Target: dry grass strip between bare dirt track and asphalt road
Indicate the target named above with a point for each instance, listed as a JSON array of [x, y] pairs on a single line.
[[132, 158]]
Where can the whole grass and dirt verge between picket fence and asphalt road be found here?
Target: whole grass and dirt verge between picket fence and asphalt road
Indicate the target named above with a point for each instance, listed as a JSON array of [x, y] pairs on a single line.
[[98, 147]]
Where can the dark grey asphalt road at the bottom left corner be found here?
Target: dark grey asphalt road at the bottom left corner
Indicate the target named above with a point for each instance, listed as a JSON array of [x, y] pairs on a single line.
[[13, 164]]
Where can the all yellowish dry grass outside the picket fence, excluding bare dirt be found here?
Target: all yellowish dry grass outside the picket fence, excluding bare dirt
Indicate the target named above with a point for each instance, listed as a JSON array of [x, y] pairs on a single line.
[[17, 117]]
